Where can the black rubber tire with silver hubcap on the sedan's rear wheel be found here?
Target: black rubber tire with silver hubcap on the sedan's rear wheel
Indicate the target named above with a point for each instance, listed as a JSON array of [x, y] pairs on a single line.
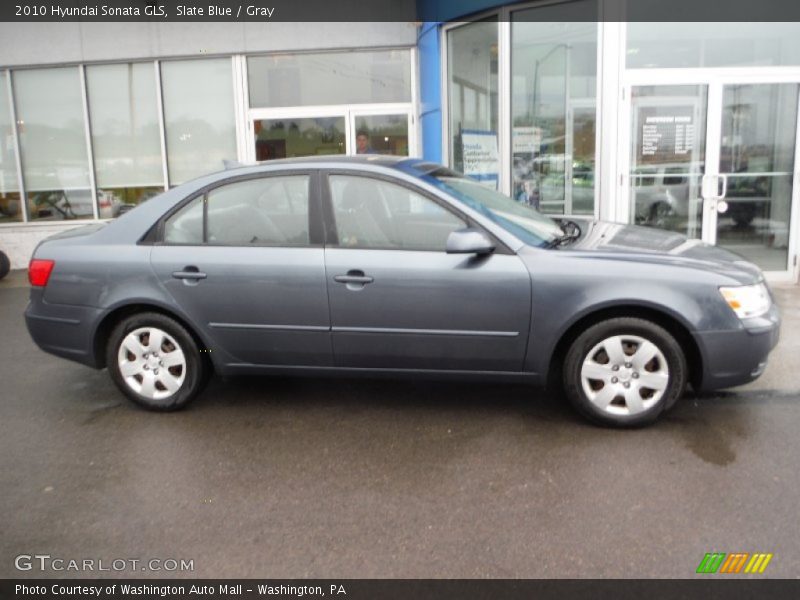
[[193, 373]]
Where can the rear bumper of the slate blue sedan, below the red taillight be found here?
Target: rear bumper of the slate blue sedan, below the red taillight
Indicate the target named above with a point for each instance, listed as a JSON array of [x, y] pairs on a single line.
[[63, 330]]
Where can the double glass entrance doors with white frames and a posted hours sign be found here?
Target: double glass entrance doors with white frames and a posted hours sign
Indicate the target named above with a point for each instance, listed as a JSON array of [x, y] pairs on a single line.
[[716, 161]]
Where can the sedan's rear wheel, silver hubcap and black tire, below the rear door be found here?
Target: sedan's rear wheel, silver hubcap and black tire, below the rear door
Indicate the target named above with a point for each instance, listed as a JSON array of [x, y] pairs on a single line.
[[155, 362]]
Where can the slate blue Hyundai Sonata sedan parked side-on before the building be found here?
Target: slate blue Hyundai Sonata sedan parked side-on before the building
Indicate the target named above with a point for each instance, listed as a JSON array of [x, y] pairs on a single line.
[[395, 265]]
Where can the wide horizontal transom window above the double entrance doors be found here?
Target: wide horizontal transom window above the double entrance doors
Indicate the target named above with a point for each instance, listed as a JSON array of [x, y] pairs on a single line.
[[686, 45]]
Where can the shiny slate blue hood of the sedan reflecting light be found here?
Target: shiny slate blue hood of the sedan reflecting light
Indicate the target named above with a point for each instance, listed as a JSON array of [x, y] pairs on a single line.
[[622, 242]]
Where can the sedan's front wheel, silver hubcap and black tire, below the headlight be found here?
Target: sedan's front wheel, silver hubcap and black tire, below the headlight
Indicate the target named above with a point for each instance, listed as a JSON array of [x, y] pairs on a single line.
[[633, 332]]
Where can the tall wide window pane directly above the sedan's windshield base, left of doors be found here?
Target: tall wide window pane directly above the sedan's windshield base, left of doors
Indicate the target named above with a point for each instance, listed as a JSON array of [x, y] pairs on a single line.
[[553, 113]]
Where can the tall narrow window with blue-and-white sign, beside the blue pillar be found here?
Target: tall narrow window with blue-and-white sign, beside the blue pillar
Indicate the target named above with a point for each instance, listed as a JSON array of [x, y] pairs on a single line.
[[472, 95]]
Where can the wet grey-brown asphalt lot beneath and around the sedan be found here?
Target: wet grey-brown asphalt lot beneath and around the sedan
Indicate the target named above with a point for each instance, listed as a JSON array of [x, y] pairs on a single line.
[[282, 477]]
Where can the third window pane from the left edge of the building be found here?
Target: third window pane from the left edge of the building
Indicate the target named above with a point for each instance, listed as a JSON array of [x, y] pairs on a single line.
[[123, 113]]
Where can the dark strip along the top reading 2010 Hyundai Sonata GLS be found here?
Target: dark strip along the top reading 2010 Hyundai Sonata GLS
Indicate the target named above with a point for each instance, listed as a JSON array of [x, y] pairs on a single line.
[[713, 11]]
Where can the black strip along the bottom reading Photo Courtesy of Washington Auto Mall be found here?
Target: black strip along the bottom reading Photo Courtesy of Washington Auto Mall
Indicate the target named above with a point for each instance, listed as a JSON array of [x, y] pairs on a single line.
[[705, 587]]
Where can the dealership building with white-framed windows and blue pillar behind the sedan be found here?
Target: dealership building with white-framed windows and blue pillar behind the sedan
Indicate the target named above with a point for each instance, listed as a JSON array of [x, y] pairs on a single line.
[[692, 127]]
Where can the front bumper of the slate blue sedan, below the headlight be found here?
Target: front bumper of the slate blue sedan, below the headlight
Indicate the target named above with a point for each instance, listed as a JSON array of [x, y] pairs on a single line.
[[738, 356]]
